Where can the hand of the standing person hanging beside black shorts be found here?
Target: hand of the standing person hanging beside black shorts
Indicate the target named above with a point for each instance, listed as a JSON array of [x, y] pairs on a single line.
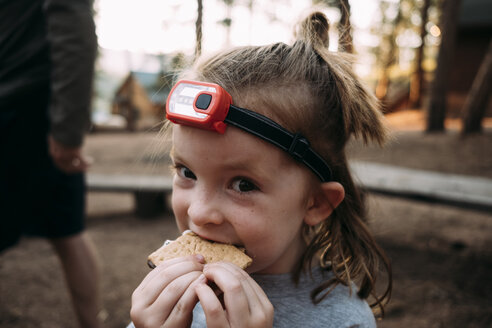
[[67, 159]]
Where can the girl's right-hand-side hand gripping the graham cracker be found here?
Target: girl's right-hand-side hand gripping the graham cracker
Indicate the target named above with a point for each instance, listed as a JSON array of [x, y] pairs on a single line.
[[245, 304]]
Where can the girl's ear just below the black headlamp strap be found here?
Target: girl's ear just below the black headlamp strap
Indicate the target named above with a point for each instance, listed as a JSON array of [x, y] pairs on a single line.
[[323, 201]]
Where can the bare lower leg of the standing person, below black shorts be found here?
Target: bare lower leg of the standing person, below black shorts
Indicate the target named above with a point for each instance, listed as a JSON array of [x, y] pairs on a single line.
[[82, 272]]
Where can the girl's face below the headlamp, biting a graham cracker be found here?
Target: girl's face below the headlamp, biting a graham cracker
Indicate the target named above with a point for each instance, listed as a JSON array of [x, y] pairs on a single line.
[[235, 188]]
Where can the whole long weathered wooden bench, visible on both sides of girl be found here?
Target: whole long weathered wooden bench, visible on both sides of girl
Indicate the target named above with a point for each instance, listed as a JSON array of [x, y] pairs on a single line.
[[150, 190]]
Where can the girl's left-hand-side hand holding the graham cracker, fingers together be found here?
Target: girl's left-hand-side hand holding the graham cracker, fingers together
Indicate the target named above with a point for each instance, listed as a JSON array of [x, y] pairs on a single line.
[[166, 297]]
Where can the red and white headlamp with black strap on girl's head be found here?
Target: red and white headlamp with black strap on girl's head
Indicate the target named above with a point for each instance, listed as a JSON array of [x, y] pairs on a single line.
[[208, 106]]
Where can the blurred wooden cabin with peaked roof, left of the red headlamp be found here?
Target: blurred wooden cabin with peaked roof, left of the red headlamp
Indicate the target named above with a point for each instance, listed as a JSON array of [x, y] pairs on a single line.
[[141, 100]]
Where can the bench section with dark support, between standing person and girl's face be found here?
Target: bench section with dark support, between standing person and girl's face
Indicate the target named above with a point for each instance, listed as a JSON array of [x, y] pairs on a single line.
[[150, 191]]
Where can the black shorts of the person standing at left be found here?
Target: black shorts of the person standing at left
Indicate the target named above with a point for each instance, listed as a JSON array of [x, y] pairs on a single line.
[[36, 198]]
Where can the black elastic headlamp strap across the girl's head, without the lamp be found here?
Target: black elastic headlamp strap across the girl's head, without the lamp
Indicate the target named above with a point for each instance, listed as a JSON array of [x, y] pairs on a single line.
[[294, 144]]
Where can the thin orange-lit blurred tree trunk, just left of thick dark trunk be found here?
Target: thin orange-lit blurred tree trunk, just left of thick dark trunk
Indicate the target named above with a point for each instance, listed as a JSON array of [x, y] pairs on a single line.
[[417, 79]]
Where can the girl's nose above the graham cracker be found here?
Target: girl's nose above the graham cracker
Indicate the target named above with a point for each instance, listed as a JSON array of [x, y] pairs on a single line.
[[205, 210]]
